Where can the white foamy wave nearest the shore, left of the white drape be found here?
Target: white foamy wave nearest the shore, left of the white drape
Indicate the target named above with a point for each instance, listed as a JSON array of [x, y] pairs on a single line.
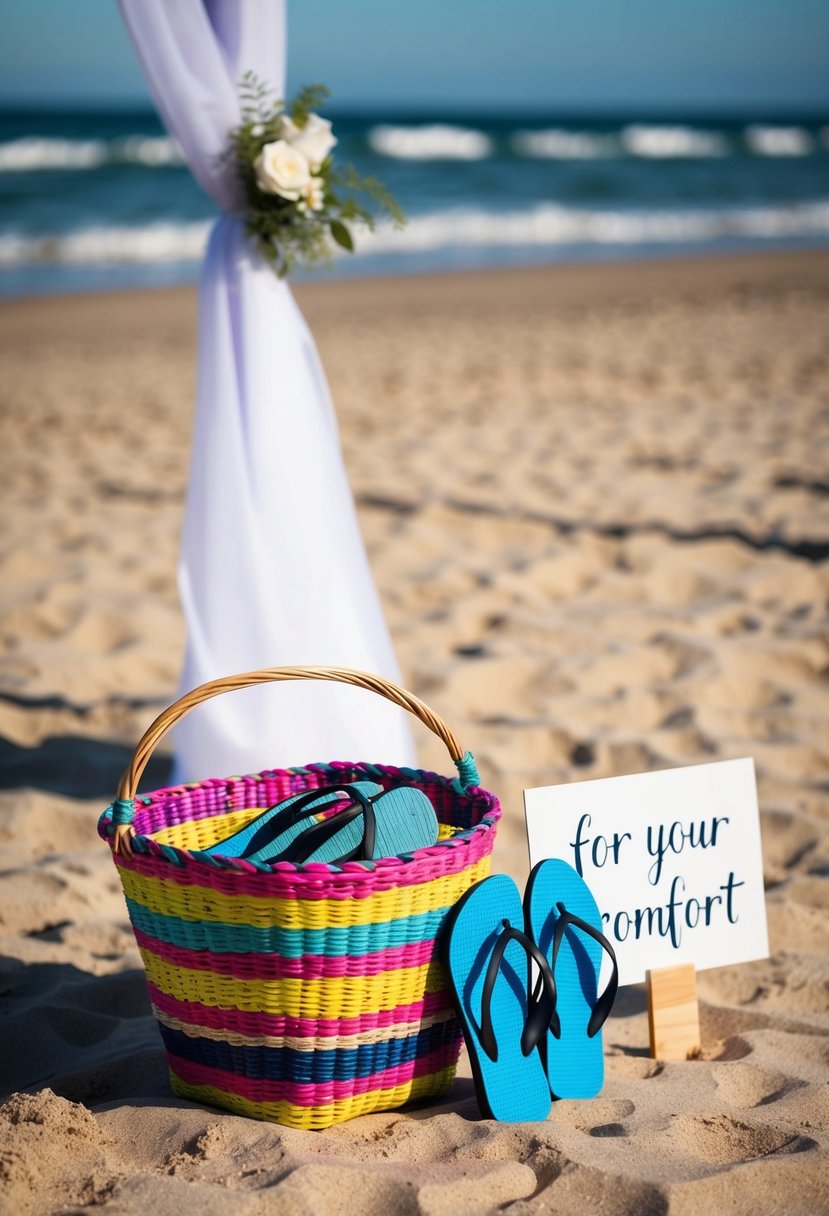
[[108, 246]]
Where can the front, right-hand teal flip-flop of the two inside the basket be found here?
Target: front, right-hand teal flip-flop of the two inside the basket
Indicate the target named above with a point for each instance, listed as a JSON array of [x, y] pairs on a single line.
[[382, 825]]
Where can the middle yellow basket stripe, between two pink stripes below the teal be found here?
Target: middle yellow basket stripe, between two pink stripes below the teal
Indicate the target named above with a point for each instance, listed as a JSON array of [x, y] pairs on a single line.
[[340, 998]]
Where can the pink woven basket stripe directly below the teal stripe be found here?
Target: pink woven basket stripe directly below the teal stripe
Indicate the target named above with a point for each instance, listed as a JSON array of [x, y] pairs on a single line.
[[277, 967]]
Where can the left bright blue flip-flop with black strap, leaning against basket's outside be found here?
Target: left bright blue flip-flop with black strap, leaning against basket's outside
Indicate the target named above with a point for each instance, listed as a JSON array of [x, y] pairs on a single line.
[[488, 956]]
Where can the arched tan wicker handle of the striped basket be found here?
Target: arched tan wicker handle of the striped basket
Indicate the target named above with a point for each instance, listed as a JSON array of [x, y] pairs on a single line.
[[125, 804]]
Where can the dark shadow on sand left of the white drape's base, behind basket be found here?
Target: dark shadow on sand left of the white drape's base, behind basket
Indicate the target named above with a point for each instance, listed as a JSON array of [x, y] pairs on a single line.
[[75, 767]]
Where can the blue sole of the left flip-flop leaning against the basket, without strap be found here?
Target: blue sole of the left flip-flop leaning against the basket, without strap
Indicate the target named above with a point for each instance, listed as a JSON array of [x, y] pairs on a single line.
[[512, 1089]]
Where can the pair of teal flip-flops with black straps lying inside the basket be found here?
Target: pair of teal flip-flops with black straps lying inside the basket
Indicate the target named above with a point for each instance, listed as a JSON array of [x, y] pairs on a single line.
[[359, 821]]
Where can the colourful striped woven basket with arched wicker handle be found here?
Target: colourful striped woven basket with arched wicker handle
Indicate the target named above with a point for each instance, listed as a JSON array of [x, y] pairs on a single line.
[[301, 994]]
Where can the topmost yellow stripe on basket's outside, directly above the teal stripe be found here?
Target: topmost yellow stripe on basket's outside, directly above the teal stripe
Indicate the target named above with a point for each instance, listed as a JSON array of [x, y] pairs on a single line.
[[204, 904]]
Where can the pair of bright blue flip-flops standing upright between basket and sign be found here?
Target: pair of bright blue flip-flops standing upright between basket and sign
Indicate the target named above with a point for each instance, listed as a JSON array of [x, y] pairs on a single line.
[[531, 1044]]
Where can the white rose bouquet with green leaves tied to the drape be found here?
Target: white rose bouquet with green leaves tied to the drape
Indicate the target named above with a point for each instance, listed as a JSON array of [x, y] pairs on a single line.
[[298, 204]]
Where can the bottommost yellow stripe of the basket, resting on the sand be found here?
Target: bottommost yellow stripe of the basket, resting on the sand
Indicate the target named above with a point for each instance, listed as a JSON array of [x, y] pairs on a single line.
[[311, 1118]]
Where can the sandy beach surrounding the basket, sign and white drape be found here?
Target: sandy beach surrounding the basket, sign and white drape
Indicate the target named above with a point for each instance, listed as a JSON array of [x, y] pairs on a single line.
[[597, 508]]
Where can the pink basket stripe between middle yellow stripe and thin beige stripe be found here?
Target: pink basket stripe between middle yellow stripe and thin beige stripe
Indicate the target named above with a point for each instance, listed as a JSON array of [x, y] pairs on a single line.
[[275, 1026]]
